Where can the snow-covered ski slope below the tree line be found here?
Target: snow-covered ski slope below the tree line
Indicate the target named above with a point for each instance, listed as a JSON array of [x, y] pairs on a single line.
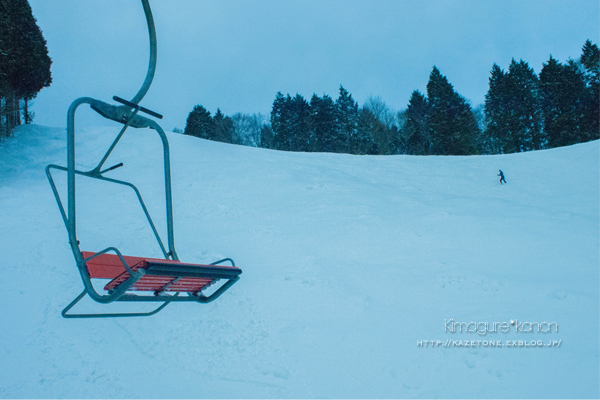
[[350, 263]]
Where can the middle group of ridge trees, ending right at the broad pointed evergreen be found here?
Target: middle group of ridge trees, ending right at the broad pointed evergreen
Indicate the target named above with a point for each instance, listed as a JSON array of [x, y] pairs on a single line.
[[441, 123]]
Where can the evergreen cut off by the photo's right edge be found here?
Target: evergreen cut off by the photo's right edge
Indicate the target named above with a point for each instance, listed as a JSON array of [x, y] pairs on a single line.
[[590, 59]]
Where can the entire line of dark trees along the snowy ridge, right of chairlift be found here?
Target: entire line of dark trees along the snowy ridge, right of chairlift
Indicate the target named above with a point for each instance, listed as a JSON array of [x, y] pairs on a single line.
[[522, 112]]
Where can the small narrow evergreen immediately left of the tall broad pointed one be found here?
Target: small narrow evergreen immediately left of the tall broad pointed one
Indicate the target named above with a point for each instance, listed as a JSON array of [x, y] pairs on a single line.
[[414, 130]]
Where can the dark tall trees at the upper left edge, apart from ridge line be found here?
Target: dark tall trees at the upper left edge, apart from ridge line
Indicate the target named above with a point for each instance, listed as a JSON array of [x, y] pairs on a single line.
[[24, 63]]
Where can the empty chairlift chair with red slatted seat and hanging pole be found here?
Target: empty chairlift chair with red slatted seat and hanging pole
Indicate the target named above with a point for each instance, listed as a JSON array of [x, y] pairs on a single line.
[[162, 280]]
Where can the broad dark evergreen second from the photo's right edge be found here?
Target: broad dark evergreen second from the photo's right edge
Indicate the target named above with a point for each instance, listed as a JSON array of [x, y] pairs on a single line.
[[562, 96]]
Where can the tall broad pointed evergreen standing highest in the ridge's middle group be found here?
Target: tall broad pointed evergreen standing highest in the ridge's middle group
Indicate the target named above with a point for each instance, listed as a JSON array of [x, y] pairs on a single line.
[[452, 126]]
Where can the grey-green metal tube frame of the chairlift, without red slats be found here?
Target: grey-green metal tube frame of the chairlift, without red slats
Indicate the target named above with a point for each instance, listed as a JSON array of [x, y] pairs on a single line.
[[127, 114]]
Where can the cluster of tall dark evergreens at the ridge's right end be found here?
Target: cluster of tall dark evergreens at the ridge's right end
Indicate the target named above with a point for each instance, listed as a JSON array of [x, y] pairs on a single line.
[[559, 107]]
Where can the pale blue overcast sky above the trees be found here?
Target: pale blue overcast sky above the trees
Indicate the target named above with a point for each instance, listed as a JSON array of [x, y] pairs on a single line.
[[236, 54]]
